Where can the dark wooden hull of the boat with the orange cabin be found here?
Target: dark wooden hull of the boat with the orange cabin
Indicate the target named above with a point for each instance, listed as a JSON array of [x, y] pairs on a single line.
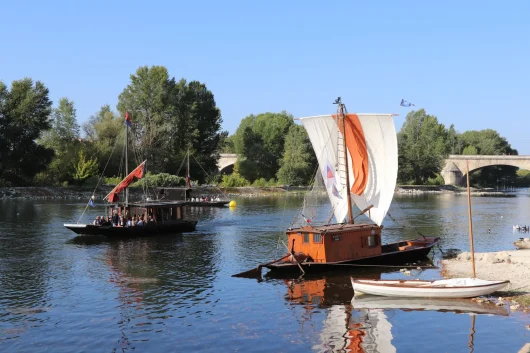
[[395, 258]]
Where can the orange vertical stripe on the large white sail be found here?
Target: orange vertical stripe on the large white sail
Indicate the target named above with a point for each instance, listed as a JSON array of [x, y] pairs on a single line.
[[356, 144]]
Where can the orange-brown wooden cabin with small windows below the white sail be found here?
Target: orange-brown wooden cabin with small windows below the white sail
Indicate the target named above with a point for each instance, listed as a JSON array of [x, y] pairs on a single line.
[[338, 242]]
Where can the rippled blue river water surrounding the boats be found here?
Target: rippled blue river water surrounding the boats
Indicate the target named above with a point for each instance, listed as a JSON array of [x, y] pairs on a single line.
[[62, 293]]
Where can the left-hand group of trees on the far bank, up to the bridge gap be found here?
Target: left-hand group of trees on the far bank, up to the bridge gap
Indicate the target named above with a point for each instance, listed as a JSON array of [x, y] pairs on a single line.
[[43, 145]]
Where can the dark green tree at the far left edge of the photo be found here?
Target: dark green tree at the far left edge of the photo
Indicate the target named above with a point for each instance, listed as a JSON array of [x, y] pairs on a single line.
[[24, 114]]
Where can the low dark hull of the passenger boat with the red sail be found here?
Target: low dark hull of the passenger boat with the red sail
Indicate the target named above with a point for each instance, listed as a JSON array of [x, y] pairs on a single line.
[[174, 227]]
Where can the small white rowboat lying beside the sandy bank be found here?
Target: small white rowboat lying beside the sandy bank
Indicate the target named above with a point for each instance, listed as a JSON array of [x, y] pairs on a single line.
[[468, 288]]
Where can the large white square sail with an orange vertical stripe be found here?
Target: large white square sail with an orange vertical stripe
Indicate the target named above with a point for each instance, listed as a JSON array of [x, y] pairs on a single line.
[[371, 144]]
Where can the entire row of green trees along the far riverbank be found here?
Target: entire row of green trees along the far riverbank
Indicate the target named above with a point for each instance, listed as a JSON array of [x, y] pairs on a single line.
[[45, 145]]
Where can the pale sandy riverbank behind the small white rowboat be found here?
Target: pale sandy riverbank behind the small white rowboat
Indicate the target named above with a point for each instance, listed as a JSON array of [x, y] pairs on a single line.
[[512, 265]]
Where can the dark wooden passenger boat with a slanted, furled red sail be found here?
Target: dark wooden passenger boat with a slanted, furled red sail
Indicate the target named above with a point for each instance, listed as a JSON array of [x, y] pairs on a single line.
[[158, 216]]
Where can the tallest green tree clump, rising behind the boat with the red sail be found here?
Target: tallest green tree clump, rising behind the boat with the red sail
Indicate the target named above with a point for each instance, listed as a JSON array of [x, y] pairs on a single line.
[[171, 117]]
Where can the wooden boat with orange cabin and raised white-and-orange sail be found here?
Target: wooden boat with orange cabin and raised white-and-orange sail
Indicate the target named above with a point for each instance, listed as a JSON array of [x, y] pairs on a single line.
[[357, 156]]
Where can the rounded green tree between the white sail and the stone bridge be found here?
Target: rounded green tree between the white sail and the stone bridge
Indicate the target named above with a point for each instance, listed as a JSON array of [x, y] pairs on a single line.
[[422, 147]]
